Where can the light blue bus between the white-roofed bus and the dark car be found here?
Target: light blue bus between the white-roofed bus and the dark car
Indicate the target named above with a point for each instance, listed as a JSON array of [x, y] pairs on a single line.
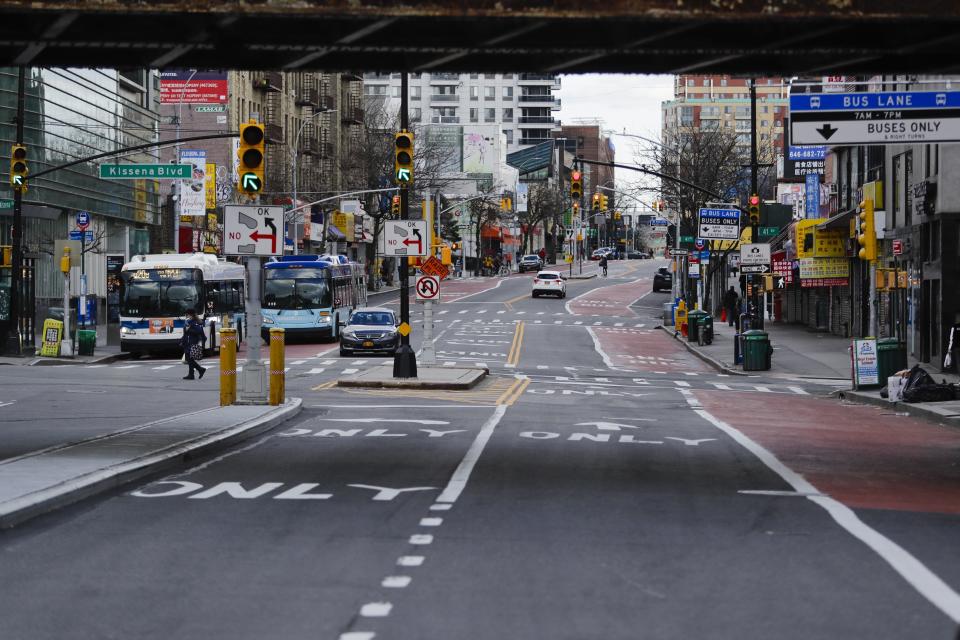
[[309, 295]]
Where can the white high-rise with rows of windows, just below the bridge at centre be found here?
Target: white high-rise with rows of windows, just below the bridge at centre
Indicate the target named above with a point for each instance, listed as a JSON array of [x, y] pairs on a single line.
[[522, 103]]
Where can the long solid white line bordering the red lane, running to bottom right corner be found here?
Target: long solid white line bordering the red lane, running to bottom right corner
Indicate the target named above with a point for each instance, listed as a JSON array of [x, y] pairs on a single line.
[[915, 573]]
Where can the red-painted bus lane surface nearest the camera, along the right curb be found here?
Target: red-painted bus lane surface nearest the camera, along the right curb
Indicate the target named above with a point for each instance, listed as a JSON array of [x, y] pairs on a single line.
[[859, 455]]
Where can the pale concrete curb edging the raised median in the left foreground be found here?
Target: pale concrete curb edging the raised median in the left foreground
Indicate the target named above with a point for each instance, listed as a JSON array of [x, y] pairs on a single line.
[[61, 495]]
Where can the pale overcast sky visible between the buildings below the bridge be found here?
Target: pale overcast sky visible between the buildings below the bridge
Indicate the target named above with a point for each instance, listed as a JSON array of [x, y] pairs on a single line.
[[628, 103]]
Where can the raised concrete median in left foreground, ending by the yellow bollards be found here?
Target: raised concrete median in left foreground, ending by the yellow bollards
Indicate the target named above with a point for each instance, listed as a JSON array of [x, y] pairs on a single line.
[[44, 480]]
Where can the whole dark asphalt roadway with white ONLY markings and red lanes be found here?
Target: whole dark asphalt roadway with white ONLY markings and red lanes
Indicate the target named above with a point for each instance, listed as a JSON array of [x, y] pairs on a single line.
[[602, 483]]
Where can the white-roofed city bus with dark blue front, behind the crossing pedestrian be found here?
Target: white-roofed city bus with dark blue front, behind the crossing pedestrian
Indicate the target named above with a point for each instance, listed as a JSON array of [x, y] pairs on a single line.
[[156, 291]]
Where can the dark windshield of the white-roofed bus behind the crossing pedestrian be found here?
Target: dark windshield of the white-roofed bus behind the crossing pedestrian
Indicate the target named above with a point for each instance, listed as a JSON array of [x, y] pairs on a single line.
[[149, 296]]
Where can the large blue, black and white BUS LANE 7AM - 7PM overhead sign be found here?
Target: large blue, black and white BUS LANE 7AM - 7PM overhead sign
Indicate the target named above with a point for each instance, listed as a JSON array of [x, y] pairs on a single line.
[[875, 118]]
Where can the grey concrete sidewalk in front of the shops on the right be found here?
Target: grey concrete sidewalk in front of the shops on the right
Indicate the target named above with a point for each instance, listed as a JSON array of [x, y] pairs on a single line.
[[801, 353]]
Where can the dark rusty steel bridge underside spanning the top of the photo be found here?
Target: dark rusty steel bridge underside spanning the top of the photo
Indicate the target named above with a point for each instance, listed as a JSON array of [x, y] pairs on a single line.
[[773, 37]]
